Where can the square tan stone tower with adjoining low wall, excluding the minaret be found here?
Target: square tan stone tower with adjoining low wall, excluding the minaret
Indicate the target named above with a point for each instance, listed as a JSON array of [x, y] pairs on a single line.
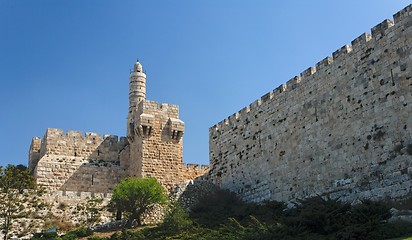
[[156, 149]]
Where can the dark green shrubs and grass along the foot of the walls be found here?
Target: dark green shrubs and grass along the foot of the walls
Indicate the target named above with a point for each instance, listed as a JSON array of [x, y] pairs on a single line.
[[313, 218]]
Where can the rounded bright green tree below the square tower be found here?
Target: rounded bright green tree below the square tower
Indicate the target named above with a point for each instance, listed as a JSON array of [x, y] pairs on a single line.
[[135, 196]]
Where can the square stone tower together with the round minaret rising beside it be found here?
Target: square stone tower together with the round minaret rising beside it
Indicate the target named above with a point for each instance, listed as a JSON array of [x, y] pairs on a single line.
[[155, 134]]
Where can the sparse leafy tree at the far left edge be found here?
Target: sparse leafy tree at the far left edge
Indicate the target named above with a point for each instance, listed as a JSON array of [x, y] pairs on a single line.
[[15, 198]]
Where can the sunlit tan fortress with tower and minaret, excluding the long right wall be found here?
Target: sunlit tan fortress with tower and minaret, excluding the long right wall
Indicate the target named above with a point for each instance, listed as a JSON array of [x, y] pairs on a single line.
[[71, 162]]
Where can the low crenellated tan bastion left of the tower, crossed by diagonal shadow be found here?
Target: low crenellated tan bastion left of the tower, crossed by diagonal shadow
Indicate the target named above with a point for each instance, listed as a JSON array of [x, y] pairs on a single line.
[[73, 162]]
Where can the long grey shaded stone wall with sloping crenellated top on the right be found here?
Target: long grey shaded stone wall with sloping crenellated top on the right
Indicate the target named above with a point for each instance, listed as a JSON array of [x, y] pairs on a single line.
[[342, 128]]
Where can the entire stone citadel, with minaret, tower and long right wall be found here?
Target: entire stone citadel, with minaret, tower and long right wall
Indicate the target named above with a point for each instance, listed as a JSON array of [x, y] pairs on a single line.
[[342, 128]]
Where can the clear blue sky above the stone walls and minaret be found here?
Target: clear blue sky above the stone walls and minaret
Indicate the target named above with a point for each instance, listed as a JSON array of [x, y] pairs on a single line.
[[65, 64]]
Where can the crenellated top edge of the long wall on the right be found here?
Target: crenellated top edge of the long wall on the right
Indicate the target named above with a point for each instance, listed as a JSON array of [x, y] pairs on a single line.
[[360, 48]]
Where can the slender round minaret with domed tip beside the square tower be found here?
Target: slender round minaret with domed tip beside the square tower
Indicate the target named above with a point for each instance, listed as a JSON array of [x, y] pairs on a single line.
[[137, 93]]
